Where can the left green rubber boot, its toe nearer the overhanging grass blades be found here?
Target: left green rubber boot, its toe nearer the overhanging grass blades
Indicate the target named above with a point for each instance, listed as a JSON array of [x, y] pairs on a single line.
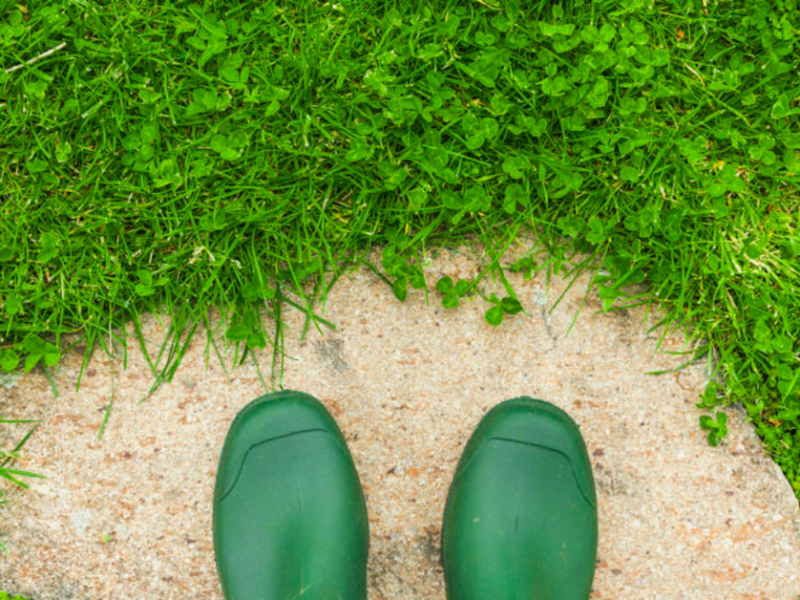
[[290, 519]]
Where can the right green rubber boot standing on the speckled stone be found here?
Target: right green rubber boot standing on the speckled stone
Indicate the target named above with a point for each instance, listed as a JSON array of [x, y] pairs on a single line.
[[521, 517]]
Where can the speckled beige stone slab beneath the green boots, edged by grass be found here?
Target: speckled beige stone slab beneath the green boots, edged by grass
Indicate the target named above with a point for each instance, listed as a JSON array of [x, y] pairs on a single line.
[[129, 516]]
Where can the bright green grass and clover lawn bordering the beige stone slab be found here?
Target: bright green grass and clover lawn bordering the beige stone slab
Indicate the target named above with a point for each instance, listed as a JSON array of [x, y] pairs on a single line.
[[232, 154]]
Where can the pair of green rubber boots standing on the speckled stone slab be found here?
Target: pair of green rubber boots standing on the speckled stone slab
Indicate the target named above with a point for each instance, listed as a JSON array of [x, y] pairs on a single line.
[[290, 519]]
